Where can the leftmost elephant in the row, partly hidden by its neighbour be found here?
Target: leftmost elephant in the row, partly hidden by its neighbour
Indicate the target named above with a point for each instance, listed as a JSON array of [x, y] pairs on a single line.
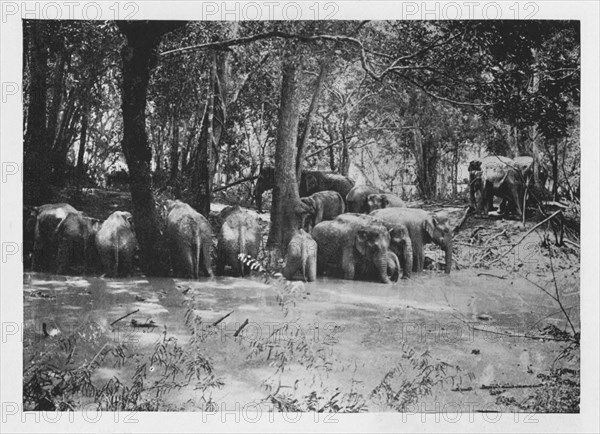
[[45, 245]]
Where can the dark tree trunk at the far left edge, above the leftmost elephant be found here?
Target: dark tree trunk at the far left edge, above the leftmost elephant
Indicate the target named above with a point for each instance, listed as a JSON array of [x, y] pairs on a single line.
[[36, 156]]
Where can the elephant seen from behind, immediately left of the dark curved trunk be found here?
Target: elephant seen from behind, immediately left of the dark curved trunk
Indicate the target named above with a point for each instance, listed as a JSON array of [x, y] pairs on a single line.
[[117, 244]]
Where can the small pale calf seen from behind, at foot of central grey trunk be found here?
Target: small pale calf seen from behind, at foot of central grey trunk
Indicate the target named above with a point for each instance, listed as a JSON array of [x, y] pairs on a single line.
[[301, 255]]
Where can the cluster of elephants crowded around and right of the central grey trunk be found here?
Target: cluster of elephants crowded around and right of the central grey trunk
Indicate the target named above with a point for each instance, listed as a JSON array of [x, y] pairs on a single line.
[[357, 232]]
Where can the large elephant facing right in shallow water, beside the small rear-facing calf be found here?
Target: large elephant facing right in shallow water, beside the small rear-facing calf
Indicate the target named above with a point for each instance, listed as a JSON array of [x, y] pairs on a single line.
[[350, 242]]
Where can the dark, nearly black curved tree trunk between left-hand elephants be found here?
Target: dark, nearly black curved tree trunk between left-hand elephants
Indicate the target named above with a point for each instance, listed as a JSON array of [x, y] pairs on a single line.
[[139, 58]]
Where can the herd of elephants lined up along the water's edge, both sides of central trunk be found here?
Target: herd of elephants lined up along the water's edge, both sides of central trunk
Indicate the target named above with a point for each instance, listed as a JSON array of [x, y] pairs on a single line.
[[354, 232]]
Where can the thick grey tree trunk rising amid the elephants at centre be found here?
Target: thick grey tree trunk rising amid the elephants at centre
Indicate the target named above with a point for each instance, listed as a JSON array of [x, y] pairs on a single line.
[[284, 209]]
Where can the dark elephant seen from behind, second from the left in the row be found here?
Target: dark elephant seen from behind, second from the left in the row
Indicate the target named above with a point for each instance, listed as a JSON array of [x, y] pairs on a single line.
[[75, 236]]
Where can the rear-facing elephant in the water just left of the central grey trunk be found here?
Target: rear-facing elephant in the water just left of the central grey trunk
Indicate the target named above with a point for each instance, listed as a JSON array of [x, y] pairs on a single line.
[[239, 233]]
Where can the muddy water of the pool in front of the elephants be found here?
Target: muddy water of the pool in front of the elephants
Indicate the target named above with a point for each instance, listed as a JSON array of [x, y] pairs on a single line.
[[326, 337]]
